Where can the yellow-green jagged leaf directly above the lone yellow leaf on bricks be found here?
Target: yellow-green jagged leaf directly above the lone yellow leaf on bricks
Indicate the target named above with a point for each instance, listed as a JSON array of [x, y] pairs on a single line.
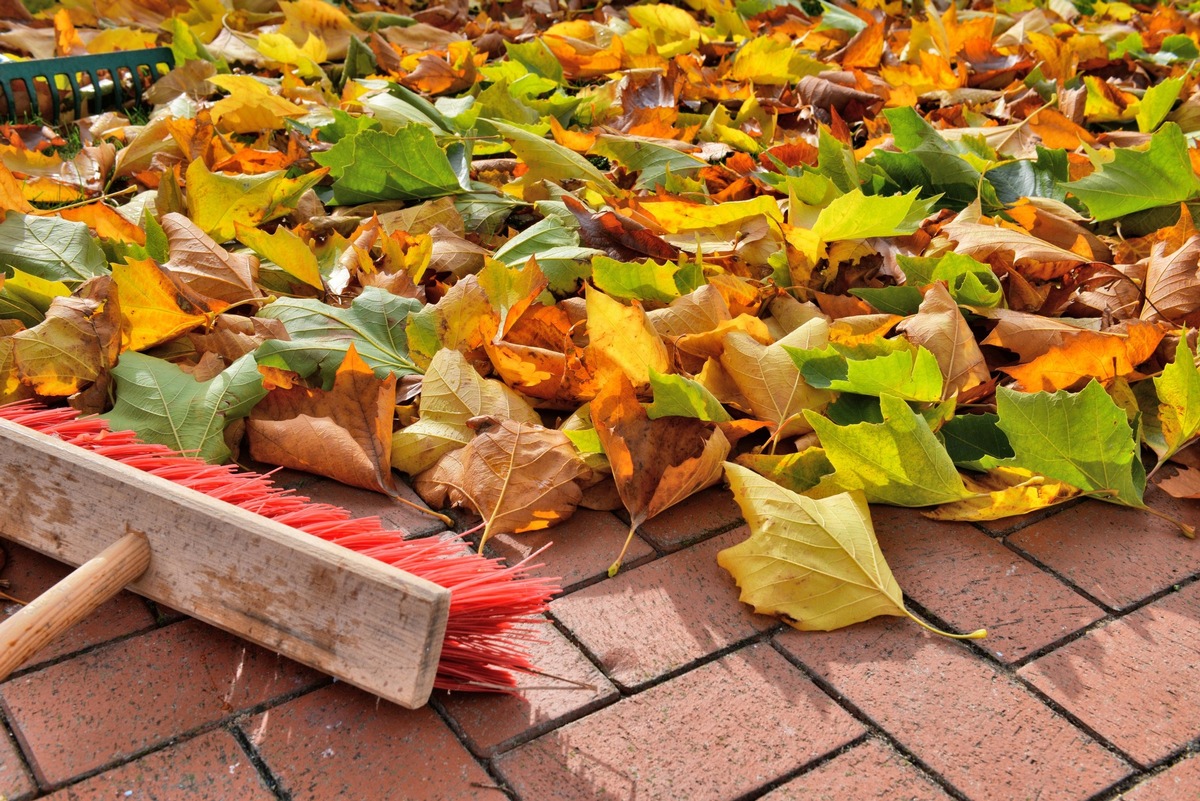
[[898, 462]]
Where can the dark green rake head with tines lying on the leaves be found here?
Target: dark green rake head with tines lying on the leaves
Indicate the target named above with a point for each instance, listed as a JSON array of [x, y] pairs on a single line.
[[109, 80]]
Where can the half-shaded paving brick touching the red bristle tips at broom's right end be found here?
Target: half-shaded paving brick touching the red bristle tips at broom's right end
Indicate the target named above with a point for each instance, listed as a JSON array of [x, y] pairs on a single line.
[[494, 722]]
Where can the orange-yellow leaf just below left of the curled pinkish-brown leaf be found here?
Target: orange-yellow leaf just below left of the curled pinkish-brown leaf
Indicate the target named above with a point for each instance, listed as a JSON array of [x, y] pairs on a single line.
[[155, 306]]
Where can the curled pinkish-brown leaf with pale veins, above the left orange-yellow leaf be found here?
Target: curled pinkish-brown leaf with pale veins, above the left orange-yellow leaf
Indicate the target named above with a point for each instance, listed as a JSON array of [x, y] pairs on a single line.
[[207, 268]]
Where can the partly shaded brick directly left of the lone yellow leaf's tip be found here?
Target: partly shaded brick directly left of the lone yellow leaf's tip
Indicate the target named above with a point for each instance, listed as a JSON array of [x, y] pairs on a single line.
[[658, 618]]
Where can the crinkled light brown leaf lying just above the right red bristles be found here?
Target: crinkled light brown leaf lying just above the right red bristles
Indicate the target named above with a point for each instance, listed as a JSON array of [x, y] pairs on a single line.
[[517, 477]]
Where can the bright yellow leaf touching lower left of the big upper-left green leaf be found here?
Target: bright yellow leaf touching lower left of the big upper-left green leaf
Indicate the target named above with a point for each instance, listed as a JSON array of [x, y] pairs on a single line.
[[218, 203]]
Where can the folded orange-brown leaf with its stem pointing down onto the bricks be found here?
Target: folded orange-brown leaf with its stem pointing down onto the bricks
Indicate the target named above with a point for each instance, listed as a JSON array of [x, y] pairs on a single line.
[[656, 463]]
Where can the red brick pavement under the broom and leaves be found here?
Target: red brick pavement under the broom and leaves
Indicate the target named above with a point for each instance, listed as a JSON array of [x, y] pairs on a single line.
[[1087, 689]]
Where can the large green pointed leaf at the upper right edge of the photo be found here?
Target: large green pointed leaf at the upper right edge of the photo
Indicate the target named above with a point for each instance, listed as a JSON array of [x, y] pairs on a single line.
[[1137, 180]]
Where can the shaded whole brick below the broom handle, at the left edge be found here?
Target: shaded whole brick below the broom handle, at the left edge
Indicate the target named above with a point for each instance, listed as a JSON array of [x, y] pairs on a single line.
[[134, 695]]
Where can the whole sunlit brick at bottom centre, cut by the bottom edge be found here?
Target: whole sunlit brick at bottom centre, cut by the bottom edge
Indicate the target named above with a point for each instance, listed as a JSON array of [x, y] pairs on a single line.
[[716, 733]]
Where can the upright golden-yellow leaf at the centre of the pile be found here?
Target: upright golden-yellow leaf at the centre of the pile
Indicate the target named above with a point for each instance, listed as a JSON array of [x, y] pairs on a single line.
[[622, 340]]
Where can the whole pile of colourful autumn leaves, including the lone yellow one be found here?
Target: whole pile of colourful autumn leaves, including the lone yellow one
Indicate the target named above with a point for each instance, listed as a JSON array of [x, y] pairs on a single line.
[[625, 260]]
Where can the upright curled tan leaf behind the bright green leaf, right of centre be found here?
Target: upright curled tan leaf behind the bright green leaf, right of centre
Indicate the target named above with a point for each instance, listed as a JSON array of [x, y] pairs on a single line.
[[940, 327]]
